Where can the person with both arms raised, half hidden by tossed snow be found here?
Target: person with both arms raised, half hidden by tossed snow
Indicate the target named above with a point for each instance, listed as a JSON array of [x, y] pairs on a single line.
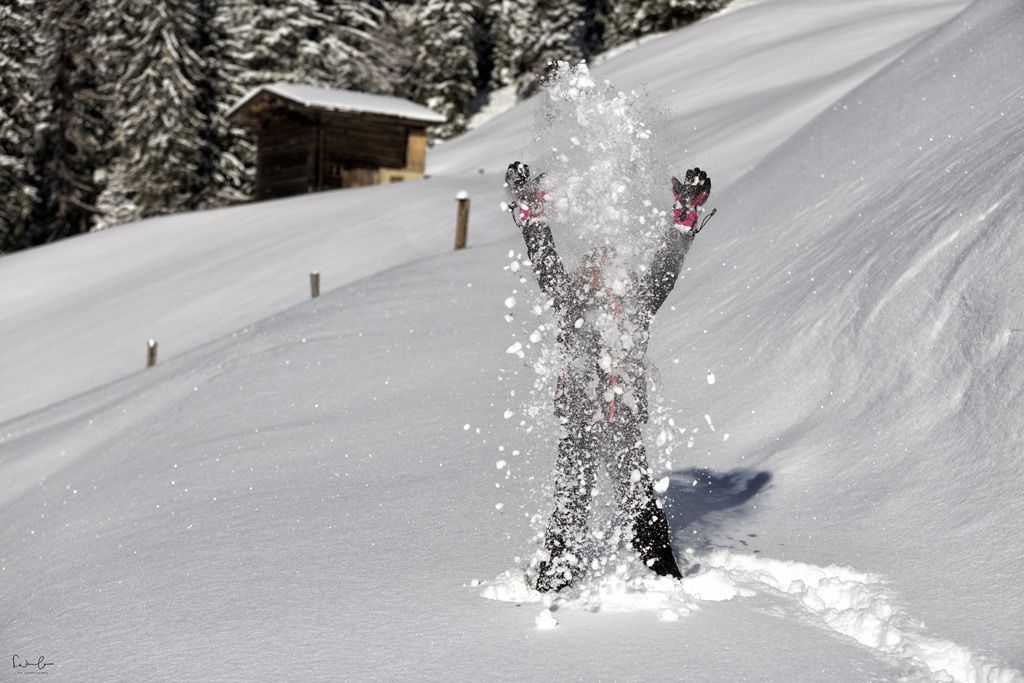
[[605, 319]]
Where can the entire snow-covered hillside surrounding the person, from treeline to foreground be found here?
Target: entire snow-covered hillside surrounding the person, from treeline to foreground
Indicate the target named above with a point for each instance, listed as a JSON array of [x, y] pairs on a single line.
[[312, 489]]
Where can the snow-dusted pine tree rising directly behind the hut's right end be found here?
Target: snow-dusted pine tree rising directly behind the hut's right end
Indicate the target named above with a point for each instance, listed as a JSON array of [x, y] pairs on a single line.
[[446, 75]]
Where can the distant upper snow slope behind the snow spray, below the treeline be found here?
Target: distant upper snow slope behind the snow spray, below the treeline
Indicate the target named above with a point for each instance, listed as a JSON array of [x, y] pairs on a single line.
[[738, 83]]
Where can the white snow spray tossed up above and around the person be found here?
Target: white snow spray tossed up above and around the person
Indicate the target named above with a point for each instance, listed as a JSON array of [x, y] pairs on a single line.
[[607, 187]]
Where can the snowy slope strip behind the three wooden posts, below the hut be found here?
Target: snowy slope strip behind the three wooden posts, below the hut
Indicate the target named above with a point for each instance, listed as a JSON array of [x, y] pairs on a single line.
[[77, 314]]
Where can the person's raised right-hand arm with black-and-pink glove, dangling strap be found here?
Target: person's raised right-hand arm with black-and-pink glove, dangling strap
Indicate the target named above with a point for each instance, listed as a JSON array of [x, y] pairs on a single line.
[[668, 262]]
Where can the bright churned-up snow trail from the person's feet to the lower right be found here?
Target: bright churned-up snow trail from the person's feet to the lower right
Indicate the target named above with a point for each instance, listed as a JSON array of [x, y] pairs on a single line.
[[849, 603]]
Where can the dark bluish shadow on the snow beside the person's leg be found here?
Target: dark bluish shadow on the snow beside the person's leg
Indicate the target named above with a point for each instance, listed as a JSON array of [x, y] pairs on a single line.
[[696, 495]]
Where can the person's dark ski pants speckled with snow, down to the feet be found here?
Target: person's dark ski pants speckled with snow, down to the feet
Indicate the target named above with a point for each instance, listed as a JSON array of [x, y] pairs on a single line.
[[619, 448]]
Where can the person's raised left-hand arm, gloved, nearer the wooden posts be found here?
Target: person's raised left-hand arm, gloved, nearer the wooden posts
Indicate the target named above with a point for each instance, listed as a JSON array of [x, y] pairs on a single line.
[[528, 211]]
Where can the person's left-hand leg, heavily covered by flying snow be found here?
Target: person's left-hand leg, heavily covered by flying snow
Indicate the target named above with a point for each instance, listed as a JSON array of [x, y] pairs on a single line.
[[568, 526]]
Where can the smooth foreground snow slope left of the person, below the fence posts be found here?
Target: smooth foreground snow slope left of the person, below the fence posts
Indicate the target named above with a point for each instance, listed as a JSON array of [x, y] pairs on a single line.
[[302, 500]]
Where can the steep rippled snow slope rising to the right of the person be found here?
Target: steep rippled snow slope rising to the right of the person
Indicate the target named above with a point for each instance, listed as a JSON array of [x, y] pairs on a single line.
[[863, 307]]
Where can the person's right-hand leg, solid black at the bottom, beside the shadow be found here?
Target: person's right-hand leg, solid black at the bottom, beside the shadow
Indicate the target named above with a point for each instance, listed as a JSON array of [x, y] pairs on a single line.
[[637, 502]]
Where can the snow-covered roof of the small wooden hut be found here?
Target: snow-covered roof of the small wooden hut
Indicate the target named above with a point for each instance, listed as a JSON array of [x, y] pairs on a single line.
[[344, 101]]
